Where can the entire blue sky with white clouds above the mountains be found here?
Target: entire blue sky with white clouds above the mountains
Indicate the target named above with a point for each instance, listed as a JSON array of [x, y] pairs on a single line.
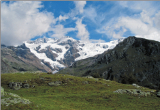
[[90, 21]]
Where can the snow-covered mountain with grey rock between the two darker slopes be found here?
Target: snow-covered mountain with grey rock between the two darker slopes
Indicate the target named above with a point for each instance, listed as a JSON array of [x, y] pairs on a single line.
[[60, 53]]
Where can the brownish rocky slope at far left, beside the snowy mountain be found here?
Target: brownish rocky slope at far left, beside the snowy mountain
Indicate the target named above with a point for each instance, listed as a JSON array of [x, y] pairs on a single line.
[[14, 59]]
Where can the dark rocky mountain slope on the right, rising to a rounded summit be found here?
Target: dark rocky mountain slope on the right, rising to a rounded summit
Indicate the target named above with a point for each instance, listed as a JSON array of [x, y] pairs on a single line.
[[135, 60]]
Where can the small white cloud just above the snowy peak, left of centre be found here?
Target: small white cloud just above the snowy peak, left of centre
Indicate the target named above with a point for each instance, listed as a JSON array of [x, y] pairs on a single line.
[[60, 31]]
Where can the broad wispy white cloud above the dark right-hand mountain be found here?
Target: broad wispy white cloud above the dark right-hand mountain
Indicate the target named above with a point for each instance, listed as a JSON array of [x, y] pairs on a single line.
[[146, 24]]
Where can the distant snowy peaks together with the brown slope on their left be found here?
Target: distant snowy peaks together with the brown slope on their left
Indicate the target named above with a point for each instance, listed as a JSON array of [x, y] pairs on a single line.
[[49, 55]]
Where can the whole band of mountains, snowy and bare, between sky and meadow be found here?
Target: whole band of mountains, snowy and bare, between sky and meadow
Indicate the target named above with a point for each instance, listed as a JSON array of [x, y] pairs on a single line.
[[130, 60]]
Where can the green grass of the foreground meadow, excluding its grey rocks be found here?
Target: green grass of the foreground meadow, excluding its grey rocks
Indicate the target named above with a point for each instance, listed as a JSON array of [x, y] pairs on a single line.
[[74, 95]]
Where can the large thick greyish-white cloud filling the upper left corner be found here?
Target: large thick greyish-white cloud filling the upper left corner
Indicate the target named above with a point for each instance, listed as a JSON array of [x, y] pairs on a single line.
[[22, 21]]
